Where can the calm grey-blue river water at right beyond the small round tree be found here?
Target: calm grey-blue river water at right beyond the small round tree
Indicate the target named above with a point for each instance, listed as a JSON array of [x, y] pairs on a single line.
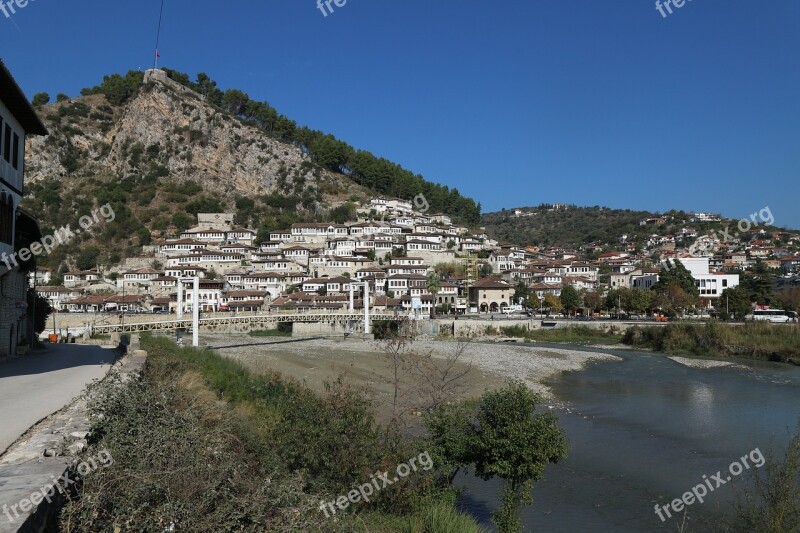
[[645, 430]]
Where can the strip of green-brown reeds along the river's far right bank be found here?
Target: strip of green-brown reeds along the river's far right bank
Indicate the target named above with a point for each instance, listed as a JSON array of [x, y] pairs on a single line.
[[761, 341]]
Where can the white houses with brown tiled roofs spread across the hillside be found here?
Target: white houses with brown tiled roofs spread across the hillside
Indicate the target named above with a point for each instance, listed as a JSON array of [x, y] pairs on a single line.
[[393, 249]]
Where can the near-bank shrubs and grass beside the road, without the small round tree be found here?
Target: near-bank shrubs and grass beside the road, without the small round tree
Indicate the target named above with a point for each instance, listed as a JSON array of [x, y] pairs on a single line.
[[201, 444]]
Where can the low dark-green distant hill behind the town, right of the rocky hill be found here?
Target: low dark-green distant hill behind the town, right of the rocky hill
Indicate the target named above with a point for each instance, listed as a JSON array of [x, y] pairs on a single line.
[[565, 225]]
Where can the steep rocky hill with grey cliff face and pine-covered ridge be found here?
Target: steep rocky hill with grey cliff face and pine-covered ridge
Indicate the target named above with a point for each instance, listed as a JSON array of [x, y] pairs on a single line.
[[160, 149]]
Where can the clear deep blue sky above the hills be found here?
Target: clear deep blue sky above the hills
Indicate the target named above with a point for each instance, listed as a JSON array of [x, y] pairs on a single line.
[[514, 102]]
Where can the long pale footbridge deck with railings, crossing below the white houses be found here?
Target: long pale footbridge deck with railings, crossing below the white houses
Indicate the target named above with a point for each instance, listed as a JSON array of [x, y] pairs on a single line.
[[249, 320]]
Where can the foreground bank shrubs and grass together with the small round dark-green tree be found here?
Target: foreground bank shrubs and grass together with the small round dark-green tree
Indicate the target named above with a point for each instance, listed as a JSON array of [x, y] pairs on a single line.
[[202, 444]]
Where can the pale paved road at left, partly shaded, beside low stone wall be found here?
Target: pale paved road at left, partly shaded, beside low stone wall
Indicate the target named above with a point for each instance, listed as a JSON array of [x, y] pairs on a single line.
[[39, 384]]
